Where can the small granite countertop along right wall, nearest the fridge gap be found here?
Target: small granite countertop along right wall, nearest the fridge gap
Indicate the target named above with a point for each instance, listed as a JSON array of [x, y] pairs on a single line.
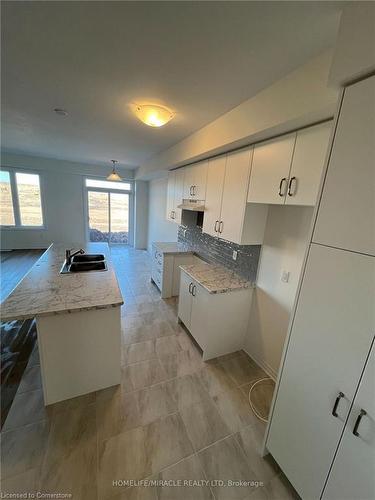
[[216, 279]]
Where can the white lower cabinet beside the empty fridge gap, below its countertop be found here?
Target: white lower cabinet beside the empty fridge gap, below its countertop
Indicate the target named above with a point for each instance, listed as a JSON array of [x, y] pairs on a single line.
[[217, 321]]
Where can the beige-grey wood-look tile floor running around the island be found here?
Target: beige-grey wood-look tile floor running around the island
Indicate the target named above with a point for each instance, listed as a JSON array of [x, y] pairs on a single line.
[[173, 419]]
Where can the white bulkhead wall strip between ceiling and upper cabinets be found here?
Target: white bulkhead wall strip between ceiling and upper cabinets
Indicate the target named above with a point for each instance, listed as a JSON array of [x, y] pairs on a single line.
[[299, 99]]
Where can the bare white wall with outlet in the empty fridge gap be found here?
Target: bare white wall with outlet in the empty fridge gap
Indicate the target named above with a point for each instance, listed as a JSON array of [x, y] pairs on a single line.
[[285, 243]]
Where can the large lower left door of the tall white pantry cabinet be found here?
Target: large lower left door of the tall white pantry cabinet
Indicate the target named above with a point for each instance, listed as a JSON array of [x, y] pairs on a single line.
[[331, 336]]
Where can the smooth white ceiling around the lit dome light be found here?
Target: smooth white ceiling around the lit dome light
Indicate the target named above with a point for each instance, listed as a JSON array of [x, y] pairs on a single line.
[[97, 58]]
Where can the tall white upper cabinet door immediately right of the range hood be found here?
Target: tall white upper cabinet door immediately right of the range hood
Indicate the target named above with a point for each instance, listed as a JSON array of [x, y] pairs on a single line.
[[214, 192]]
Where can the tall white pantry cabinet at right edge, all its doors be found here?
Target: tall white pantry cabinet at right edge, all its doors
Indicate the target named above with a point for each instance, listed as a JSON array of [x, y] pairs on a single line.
[[322, 424]]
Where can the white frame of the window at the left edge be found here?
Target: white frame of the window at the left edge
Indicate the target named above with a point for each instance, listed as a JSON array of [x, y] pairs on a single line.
[[15, 201]]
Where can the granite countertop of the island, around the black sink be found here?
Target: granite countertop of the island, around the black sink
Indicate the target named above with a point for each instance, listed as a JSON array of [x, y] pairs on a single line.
[[44, 291]]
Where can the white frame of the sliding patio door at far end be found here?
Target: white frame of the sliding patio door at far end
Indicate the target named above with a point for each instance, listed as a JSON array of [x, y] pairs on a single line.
[[130, 192]]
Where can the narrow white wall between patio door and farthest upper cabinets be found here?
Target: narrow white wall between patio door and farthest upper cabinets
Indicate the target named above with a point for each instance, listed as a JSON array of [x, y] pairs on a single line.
[[159, 229]]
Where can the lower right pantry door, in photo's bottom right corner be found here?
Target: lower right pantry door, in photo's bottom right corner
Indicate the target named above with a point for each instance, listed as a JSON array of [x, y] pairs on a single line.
[[352, 474]]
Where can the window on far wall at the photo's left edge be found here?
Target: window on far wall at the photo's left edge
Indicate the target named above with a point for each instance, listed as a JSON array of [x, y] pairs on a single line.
[[20, 202]]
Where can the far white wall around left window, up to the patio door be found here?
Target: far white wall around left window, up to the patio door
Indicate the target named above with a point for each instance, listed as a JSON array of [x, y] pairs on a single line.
[[62, 191]]
